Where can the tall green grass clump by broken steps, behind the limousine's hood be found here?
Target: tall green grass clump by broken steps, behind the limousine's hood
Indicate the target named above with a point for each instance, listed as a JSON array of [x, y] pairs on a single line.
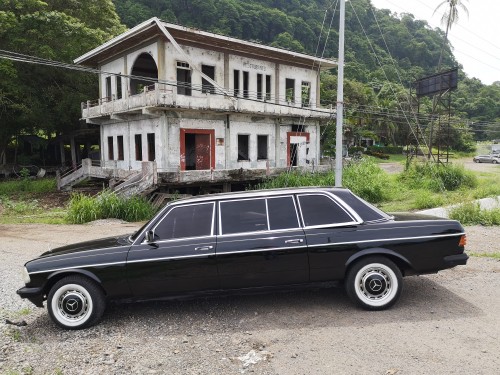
[[83, 209]]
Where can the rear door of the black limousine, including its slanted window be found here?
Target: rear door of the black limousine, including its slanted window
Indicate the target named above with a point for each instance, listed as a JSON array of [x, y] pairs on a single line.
[[330, 229]]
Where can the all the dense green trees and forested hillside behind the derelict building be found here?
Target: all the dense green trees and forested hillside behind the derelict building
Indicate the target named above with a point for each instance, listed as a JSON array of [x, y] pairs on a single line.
[[385, 52]]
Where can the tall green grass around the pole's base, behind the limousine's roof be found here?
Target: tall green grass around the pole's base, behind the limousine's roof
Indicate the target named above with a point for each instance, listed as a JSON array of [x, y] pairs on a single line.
[[364, 178]]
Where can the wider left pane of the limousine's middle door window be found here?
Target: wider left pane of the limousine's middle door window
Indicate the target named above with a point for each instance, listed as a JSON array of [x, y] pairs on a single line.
[[242, 216]]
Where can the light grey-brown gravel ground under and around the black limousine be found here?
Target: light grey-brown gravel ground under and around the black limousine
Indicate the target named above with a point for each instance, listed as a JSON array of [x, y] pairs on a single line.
[[443, 324]]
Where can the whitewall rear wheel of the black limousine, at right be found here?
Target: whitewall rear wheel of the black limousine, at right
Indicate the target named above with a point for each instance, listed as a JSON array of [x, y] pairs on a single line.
[[374, 283]]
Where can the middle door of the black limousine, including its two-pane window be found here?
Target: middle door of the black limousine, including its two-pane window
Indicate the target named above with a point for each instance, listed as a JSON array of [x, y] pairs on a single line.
[[260, 243]]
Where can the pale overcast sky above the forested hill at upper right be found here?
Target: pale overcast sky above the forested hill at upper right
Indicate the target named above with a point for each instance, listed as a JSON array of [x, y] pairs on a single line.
[[475, 39]]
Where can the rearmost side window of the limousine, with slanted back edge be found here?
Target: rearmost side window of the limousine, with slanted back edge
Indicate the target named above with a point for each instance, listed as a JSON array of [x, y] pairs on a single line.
[[318, 209]]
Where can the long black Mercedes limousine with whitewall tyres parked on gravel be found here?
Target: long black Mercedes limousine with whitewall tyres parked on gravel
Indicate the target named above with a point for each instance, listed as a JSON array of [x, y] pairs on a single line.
[[234, 242]]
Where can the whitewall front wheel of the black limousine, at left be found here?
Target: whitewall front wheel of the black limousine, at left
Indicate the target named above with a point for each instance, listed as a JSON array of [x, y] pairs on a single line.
[[75, 302]]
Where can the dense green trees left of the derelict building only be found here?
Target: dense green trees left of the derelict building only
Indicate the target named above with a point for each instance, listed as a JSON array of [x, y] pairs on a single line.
[[40, 99]]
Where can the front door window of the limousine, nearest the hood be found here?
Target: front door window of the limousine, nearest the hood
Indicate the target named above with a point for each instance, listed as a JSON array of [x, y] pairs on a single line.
[[195, 220]]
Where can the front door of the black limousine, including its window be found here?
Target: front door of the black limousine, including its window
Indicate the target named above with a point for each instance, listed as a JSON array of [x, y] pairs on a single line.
[[181, 259]]
